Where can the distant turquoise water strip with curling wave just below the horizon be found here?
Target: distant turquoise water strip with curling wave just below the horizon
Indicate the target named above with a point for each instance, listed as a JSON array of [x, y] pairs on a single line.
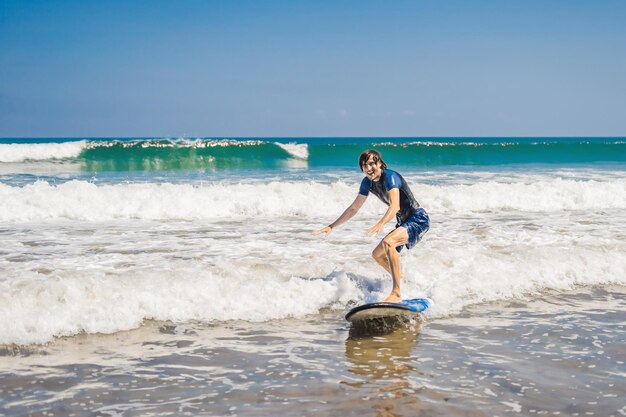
[[215, 154]]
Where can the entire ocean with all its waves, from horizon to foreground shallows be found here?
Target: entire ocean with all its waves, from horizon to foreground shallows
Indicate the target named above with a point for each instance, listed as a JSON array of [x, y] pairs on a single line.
[[179, 276]]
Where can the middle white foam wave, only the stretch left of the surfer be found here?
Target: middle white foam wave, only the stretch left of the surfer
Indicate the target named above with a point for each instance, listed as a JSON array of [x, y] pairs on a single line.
[[85, 201]]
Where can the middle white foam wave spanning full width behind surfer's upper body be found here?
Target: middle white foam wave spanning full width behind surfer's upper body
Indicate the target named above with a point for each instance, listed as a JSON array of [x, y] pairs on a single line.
[[85, 201]]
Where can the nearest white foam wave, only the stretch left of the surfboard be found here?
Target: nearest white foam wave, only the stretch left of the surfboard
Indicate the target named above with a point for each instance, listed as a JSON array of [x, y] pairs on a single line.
[[35, 309]]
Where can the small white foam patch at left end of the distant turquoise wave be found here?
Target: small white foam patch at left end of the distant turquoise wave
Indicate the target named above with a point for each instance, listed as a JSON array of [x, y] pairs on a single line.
[[19, 152]]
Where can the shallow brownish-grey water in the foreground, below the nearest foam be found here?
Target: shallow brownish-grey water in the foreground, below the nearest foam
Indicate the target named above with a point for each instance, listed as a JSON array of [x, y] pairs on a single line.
[[555, 354]]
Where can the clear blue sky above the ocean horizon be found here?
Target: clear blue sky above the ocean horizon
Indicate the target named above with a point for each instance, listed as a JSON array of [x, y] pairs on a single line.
[[312, 68]]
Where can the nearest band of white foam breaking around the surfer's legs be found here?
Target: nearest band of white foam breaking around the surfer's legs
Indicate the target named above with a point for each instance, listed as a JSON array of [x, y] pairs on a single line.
[[99, 295]]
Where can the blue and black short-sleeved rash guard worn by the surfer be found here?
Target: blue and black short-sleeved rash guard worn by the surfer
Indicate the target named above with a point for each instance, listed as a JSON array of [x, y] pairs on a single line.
[[391, 179]]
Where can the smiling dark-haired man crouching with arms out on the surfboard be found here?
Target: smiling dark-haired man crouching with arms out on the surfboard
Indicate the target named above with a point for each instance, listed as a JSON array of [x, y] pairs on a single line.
[[412, 220]]
